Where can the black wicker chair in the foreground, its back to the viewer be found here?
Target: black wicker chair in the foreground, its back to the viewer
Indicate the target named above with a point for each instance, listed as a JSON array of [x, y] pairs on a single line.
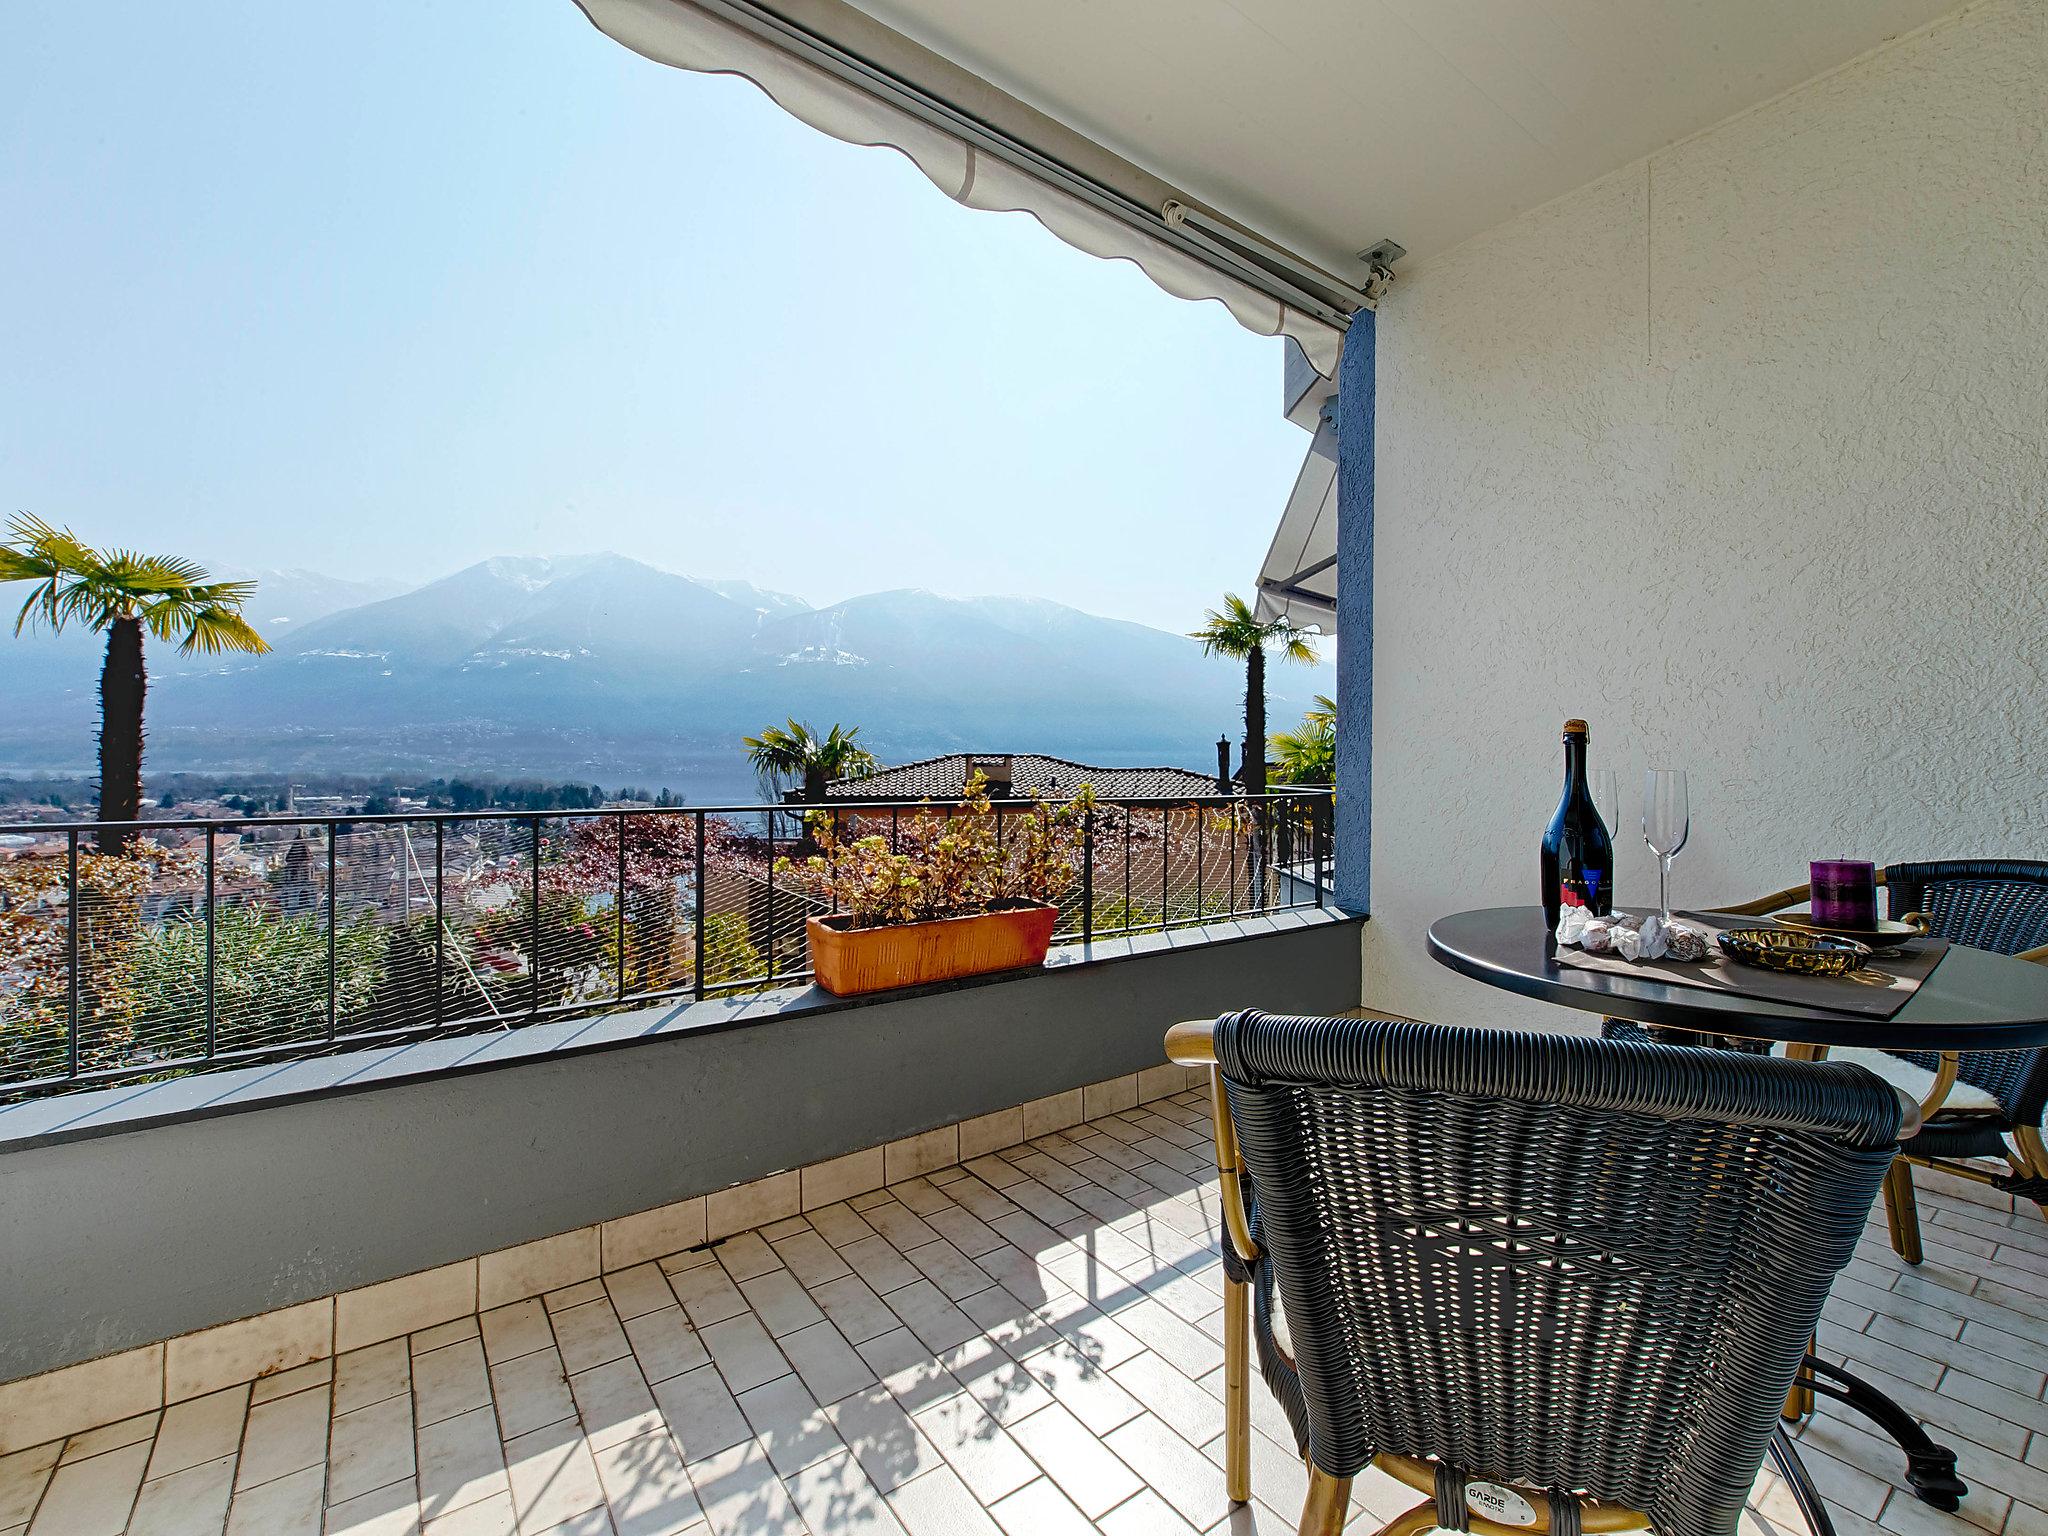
[[1558, 1285]]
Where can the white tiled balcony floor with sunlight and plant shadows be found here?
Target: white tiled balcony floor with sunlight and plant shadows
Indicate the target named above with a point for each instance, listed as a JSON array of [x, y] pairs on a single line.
[[1021, 1347]]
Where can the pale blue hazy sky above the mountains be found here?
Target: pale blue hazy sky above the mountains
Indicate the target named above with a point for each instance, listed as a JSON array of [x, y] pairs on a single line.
[[388, 288]]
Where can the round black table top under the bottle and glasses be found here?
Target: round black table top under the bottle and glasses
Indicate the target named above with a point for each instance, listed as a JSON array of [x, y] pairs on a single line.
[[1971, 1000]]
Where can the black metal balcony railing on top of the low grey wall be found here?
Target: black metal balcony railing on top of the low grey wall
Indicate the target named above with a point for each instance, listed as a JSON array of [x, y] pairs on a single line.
[[216, 943]]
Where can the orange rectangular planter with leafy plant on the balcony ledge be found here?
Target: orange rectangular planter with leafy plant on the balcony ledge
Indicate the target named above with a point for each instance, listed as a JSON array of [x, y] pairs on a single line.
[[951, 900]]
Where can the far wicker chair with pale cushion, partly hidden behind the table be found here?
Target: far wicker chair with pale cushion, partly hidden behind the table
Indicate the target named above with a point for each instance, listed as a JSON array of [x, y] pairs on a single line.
[[1996, 906]]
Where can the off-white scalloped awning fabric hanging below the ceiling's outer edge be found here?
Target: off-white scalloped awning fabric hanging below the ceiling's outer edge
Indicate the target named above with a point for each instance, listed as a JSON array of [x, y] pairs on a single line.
[[691, 36]]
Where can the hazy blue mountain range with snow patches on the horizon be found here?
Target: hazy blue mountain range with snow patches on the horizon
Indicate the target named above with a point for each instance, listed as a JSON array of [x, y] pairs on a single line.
[[605, 669]]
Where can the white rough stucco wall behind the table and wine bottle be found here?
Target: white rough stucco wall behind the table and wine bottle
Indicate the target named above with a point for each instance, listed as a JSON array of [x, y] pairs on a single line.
[[1742, 454]]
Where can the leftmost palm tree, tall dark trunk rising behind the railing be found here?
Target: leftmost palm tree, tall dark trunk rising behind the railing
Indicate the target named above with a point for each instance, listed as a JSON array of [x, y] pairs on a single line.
[[124, 595]]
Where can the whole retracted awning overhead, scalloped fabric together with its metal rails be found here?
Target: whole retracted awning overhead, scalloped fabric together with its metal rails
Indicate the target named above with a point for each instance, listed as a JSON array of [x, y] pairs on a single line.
[[847, 75]]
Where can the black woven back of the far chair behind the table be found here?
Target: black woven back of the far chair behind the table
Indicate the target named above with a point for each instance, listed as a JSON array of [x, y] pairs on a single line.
[[1992, 904]]
